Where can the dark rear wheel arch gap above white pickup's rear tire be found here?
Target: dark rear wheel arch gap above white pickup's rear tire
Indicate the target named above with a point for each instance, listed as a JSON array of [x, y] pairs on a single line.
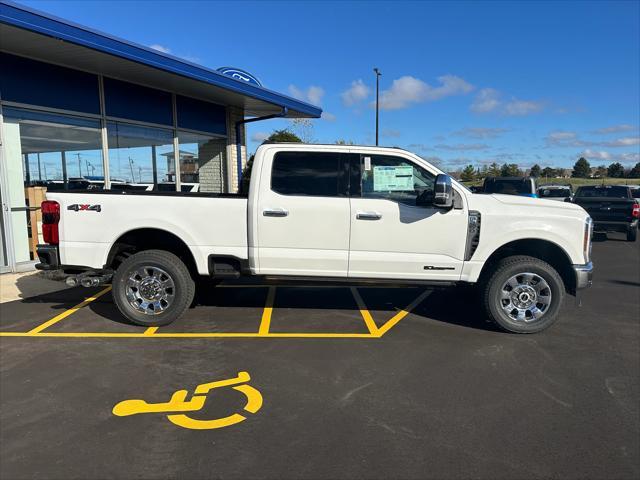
[[141, 239]]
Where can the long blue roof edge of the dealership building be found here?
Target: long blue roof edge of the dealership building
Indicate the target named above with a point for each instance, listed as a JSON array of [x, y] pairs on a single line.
[[20, 16]]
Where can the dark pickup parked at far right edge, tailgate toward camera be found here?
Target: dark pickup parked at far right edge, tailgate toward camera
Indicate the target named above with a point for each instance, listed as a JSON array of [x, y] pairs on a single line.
[[612, 208]]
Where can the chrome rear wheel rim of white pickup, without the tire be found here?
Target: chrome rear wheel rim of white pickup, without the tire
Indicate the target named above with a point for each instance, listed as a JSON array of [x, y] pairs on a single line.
[[150, 290]]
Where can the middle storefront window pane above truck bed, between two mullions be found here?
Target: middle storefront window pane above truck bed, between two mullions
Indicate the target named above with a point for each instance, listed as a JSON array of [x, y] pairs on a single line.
[[140, 158]]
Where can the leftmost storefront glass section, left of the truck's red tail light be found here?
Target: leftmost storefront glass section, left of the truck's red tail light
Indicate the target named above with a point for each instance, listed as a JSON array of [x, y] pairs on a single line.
[[49, 151]]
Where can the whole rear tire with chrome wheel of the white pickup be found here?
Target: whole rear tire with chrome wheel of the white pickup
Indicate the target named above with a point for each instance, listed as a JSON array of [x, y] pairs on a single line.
[[152, 288]]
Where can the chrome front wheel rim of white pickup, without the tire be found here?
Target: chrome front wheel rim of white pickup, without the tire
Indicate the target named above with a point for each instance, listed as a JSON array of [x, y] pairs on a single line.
[[525, 297]]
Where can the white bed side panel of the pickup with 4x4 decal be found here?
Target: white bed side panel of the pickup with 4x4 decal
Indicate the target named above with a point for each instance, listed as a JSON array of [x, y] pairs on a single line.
[[91, 222]]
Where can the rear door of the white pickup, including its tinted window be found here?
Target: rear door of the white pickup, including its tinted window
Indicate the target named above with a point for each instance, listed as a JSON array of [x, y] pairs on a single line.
[[302, 215]]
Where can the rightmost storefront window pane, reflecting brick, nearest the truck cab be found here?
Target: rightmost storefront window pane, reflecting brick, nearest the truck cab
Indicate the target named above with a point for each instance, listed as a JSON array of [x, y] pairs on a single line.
[[202, 162]]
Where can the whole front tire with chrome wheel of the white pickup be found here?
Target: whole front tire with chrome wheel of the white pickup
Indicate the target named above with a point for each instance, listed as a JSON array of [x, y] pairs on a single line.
[[523, 294]]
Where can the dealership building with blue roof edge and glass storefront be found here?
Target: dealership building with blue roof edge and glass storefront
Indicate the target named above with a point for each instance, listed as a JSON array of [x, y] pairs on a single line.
[[80, 109]]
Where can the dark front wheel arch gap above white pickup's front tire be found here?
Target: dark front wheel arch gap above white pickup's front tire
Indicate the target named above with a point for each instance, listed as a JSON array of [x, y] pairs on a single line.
[[545, 250]]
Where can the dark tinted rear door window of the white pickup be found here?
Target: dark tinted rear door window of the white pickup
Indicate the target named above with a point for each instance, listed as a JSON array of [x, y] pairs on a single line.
[[315, 174]]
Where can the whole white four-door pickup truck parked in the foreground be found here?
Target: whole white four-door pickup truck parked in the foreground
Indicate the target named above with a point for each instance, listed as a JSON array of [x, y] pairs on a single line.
[[324, 212]]
